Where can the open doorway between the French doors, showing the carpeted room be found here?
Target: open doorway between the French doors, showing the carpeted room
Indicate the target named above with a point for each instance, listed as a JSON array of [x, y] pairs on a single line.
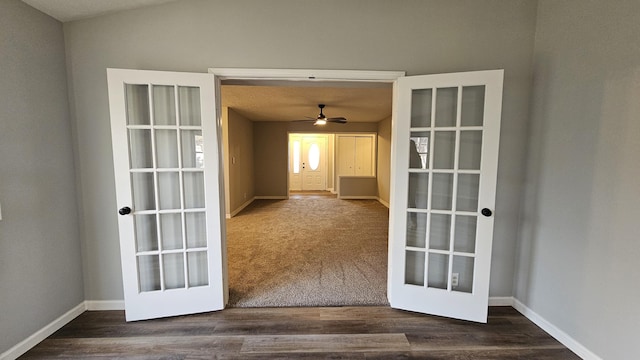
[[331, 251]]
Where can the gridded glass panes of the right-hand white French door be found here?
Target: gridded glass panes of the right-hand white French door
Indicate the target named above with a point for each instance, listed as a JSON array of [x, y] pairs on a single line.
[[444, 174]]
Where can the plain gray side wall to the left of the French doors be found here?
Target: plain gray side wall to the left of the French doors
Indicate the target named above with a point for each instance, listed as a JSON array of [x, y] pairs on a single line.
[[40, 263]]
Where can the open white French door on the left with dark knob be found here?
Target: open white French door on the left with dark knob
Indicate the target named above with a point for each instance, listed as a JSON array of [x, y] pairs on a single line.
[[165, 135]]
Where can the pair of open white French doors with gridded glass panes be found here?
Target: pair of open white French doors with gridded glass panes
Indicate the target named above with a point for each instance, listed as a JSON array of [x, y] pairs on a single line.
[[168, 185]]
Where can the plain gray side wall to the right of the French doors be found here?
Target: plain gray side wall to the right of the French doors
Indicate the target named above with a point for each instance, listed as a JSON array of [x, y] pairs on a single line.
[[578, 263]]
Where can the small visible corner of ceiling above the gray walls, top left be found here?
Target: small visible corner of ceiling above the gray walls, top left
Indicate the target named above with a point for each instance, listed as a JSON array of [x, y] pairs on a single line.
[[69, 10]]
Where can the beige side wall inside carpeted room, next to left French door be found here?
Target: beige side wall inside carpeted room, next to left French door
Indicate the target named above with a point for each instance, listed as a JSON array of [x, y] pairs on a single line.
[[239, 160]]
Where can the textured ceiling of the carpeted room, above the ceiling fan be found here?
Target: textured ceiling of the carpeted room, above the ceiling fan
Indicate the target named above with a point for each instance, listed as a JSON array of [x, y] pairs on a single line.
[[287, 103]]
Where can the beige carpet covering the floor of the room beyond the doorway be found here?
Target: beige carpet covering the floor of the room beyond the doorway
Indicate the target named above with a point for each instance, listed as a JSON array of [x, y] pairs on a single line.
[[310, 250]]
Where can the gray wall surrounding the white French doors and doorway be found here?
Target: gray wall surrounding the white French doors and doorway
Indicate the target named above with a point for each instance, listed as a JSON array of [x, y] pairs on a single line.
[[418, 36]]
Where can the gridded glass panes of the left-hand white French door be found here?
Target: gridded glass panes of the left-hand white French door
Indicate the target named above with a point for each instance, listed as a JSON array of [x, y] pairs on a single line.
[[167, 180]]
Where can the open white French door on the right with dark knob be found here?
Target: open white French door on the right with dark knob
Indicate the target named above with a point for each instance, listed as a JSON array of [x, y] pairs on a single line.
[[445, 155]]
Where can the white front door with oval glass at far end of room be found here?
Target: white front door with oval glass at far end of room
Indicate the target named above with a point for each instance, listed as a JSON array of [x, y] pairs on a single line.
[[313, 163]]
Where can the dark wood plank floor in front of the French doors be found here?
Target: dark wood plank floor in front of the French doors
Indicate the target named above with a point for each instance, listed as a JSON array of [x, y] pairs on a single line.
[[308, 333]]
